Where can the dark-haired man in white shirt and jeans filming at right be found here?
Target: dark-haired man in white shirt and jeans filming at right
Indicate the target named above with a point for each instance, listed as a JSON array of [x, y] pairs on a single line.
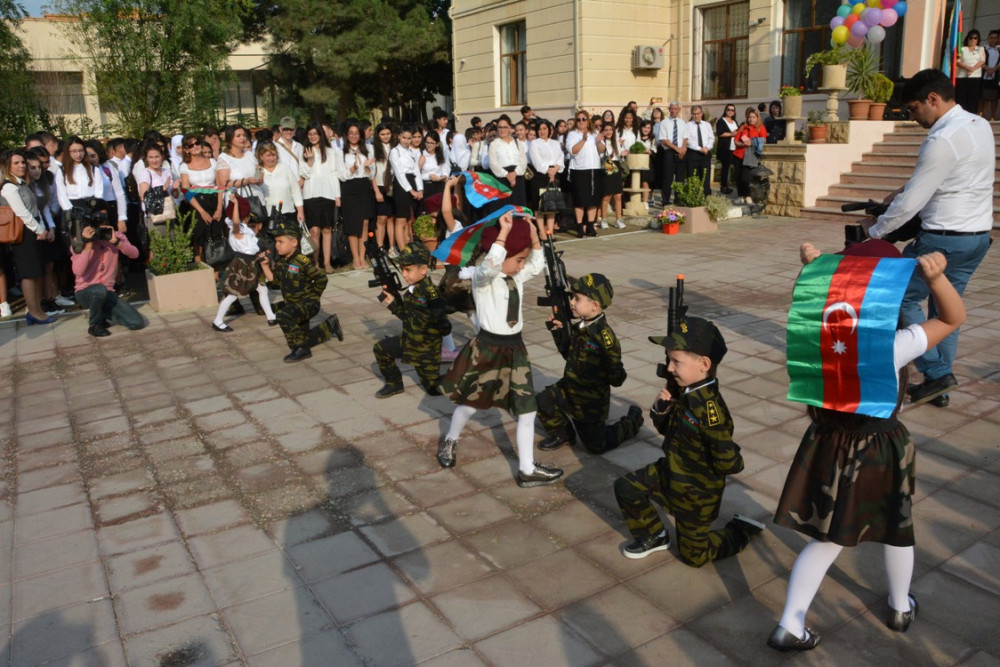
[[952, 190]]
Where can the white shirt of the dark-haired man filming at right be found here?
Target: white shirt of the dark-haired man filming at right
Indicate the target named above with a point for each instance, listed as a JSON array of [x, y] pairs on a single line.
[[952, 184]]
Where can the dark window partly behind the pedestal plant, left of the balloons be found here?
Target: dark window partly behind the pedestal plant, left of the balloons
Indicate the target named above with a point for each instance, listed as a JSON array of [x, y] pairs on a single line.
[[807, 30]]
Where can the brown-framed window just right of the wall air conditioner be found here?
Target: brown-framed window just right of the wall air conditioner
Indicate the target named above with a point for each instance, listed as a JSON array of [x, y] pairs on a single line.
[[725, 51]]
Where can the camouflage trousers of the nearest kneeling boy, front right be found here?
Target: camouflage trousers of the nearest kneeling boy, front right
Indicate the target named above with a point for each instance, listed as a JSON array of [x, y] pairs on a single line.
[[697, 543]]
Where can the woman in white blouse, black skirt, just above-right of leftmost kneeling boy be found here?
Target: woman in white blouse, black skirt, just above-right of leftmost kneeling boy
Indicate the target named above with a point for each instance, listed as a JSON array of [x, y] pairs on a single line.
[[321, 191]]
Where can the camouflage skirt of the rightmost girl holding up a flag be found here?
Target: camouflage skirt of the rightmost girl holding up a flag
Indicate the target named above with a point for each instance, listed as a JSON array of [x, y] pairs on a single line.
[[854, 486]]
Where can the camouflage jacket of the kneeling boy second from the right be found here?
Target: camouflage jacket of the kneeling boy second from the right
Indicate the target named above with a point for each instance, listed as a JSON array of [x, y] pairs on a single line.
[[593, 356]]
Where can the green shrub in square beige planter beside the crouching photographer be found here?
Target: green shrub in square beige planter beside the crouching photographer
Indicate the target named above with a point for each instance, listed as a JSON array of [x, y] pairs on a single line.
[[175, 281]]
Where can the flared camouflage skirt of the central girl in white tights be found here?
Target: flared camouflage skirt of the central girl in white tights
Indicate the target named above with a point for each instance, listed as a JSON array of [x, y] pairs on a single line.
[[492, 370]]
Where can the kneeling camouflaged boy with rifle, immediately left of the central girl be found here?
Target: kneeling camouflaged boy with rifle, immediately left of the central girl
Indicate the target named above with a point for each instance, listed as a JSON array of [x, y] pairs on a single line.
[[425, 321]]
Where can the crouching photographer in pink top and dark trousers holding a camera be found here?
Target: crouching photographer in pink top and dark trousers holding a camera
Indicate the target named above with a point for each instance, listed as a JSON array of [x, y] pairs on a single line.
[[96, 247]]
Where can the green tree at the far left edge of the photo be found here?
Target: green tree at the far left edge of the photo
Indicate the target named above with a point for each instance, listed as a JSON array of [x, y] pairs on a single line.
[[21, 111]]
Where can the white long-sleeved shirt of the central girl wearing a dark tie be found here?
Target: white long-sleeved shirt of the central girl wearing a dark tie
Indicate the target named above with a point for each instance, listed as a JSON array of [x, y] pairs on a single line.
[[490, 291]]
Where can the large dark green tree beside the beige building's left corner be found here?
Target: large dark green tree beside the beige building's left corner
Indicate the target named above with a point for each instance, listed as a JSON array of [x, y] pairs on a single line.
[[358, 53]]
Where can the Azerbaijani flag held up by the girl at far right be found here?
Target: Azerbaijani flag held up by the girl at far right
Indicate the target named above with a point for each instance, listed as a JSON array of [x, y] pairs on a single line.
[[841, 332]]
